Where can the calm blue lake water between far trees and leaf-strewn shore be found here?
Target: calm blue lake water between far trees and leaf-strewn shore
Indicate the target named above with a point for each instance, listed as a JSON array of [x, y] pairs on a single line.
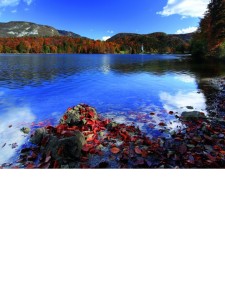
[[39, 88]]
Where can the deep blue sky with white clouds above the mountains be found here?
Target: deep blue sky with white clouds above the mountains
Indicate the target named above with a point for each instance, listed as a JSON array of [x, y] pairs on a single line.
[[101, 19]]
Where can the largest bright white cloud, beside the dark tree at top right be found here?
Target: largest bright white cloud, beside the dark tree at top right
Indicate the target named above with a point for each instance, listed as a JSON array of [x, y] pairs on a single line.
[[185, 8]]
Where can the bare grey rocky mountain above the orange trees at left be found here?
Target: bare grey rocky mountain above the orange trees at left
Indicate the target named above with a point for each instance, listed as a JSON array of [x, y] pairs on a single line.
[[21, 29]]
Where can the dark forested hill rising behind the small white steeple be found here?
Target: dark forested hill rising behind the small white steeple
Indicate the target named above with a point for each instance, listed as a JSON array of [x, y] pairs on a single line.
[[157, 42]]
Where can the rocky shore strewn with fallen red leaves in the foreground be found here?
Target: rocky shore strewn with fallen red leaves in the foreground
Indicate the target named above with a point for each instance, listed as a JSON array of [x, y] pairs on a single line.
[[84, 140]]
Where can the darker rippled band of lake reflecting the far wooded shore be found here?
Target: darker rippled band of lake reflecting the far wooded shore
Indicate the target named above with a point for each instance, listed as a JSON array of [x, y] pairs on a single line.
[[22, 70]]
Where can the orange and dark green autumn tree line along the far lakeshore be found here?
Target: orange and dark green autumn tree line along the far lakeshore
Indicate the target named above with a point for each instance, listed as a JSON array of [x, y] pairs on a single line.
[[130, 45]]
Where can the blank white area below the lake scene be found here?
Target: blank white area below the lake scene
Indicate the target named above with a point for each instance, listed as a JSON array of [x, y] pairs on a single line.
[[117, 235]]
